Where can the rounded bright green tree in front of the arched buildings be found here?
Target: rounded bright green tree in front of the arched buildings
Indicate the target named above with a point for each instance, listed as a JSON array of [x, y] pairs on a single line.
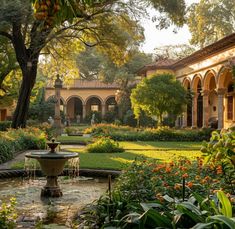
[[169, 96]]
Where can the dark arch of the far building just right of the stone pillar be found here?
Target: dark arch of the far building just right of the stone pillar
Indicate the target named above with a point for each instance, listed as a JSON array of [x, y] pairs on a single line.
[[74, 106]]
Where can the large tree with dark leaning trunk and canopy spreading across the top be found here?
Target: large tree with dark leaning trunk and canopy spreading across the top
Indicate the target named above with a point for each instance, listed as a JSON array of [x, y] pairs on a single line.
[[31, 27]]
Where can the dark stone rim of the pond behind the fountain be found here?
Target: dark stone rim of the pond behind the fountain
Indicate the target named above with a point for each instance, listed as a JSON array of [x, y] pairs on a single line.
[[11, 173]]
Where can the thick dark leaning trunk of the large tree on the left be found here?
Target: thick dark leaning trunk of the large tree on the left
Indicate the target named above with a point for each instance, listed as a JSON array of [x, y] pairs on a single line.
[[21, 111]]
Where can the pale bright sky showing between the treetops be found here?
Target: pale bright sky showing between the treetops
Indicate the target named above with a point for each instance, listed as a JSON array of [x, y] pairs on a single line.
[[156, 38]]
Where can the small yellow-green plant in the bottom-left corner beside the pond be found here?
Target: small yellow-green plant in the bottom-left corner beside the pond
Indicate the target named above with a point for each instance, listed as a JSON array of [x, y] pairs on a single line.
[[8, 215]]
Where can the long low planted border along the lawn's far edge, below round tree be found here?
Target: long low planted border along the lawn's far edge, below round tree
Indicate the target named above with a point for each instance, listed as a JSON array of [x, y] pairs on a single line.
[[127, 133]]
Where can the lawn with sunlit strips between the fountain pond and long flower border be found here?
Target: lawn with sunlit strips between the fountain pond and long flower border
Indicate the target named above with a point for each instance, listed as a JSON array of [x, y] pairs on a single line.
[[161, 151]]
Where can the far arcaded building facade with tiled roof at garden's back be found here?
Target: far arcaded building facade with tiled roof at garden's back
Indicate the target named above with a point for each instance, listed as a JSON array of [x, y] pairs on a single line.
[[83, 97]]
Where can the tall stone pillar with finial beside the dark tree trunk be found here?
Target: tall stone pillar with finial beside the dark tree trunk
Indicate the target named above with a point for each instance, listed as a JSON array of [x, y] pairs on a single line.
[[58, 85]]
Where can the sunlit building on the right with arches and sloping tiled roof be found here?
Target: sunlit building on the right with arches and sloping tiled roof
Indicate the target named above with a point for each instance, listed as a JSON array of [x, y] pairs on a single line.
[[208, 75]]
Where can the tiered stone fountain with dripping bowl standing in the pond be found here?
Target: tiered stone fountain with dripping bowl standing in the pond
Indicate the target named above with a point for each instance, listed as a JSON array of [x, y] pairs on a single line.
[[52, 164]]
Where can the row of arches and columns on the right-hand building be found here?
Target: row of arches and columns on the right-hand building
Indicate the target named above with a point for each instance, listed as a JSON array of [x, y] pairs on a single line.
[[211, 99]]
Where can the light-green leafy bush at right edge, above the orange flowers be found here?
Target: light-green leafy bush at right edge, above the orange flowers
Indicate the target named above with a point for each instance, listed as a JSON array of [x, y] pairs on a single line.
[[220, 152]]
